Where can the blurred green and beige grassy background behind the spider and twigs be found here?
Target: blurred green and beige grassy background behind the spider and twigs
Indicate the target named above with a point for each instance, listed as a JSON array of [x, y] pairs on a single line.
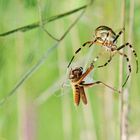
[[40, 109]]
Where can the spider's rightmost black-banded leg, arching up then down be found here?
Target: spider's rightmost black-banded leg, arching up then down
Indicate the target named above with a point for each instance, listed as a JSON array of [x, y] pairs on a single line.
[[133, 51]]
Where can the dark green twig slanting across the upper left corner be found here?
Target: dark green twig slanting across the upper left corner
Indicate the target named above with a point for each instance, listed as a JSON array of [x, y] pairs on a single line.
[[45, 21]]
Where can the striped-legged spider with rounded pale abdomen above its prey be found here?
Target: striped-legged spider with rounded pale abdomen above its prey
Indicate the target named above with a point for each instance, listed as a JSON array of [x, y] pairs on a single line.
[[107, 38]]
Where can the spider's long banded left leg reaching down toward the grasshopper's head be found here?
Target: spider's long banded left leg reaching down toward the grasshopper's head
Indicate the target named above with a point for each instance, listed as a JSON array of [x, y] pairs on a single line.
[[79, 49]]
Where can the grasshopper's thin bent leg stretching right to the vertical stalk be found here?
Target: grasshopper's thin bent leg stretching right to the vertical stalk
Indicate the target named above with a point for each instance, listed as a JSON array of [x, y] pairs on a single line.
[[100, 82]]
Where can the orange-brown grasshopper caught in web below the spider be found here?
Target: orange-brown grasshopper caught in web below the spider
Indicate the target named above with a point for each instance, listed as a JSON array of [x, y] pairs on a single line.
[[76, 77]]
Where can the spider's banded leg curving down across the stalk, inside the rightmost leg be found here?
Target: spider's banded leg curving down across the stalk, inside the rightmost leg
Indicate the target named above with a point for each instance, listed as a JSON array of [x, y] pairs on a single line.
[[129, 66]]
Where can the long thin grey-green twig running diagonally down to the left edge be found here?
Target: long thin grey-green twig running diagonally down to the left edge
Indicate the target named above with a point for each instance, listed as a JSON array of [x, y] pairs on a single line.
[[43, 59]]
